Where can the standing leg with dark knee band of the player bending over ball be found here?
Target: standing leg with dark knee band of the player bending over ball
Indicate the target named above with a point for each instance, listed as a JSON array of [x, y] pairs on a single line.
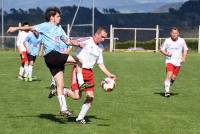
[[85, 107]]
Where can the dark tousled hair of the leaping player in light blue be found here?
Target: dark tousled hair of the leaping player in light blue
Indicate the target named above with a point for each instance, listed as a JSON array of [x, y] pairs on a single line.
[[51, 11]]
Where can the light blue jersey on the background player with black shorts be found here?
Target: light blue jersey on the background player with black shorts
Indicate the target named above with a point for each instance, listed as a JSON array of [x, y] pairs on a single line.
[[33, 43]]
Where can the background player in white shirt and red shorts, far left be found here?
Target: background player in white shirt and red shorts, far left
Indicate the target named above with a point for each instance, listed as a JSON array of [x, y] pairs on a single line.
[[22, 51]]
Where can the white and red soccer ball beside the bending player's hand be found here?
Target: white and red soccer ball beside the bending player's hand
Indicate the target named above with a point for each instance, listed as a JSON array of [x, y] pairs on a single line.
[[108, 84]]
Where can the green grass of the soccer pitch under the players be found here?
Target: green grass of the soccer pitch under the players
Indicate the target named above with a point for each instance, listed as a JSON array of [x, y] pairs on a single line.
[[134, 107]]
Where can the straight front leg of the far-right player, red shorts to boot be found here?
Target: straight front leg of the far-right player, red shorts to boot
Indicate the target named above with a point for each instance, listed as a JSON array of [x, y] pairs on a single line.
[[169, 73]]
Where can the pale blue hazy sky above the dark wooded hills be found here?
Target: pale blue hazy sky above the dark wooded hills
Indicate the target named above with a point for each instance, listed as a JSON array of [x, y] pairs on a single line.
[[120, 5]]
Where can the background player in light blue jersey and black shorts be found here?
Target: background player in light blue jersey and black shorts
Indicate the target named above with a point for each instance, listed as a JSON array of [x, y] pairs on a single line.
[[33, 45]]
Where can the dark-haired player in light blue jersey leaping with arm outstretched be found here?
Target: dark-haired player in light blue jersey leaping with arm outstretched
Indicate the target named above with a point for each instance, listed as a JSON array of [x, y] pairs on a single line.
[[52, 35]]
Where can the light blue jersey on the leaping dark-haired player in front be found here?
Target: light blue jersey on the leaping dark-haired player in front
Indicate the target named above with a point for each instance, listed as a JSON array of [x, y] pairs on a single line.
[[51, 36]]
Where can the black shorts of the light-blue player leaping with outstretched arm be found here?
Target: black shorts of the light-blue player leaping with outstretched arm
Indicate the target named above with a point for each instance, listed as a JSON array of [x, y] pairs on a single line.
[[55, 61]]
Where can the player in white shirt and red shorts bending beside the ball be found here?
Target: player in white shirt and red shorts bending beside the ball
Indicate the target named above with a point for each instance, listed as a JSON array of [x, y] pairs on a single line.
[[89, 55]]
